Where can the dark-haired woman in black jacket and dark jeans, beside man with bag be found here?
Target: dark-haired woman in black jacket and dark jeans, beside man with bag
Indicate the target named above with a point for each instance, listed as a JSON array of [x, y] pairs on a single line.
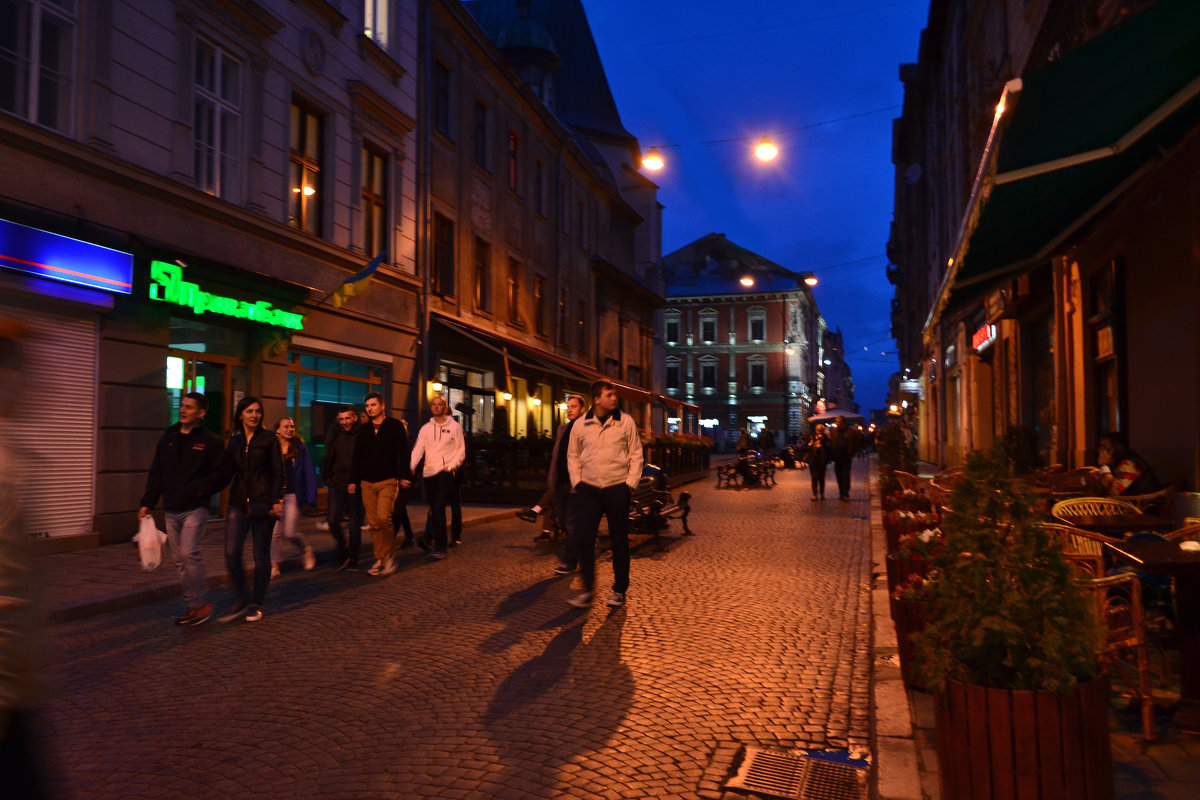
[[256, 502]]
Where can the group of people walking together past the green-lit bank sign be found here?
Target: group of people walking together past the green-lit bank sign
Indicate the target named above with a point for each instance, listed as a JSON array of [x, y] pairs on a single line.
[[369, 468]]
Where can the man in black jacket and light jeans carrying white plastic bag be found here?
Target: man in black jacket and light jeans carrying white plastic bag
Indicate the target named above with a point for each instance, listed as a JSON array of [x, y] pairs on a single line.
[[187, 472]]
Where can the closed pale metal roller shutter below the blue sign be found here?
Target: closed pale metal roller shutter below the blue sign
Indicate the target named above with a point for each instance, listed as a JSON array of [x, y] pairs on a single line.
[[56, 425]]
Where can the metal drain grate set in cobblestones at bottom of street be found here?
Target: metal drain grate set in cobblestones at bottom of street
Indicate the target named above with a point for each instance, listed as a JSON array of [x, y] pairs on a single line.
[[799, 777]]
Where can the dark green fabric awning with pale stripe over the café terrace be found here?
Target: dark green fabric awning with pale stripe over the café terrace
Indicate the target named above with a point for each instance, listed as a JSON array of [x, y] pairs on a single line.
[[1081, 131]]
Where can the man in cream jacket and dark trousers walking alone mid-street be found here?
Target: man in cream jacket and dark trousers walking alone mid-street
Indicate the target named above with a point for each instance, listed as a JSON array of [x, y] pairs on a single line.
[[604, 461]]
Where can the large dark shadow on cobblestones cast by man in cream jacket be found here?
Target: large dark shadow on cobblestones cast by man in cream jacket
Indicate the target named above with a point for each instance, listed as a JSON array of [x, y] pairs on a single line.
[[563, 703]]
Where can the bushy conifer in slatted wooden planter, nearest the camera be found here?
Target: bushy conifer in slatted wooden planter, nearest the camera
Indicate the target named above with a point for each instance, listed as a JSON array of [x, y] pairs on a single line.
[[1011, 649]]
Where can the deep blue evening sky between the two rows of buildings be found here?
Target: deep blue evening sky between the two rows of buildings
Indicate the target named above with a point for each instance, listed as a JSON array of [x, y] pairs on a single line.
[[710, 77]]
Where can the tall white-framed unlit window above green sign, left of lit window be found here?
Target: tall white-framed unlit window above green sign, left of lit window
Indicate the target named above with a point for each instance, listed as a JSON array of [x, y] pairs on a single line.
[[218, 124]]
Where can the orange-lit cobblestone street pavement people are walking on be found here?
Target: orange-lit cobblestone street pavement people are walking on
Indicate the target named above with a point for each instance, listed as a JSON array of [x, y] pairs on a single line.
[[472, 678]]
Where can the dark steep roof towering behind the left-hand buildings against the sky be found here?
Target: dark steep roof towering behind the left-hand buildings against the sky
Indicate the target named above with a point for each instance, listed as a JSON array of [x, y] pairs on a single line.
[[583, 98]]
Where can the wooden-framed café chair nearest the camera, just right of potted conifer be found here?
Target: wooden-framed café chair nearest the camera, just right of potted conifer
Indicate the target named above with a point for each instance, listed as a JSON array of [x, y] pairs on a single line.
[[1118, 604]]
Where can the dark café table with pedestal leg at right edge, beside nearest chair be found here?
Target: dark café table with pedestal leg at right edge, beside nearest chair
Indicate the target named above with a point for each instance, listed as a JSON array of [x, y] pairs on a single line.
[[1167, 558]]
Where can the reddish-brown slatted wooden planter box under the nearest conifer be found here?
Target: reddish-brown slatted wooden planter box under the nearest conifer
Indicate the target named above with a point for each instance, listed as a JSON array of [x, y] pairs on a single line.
[[997, 744]]
